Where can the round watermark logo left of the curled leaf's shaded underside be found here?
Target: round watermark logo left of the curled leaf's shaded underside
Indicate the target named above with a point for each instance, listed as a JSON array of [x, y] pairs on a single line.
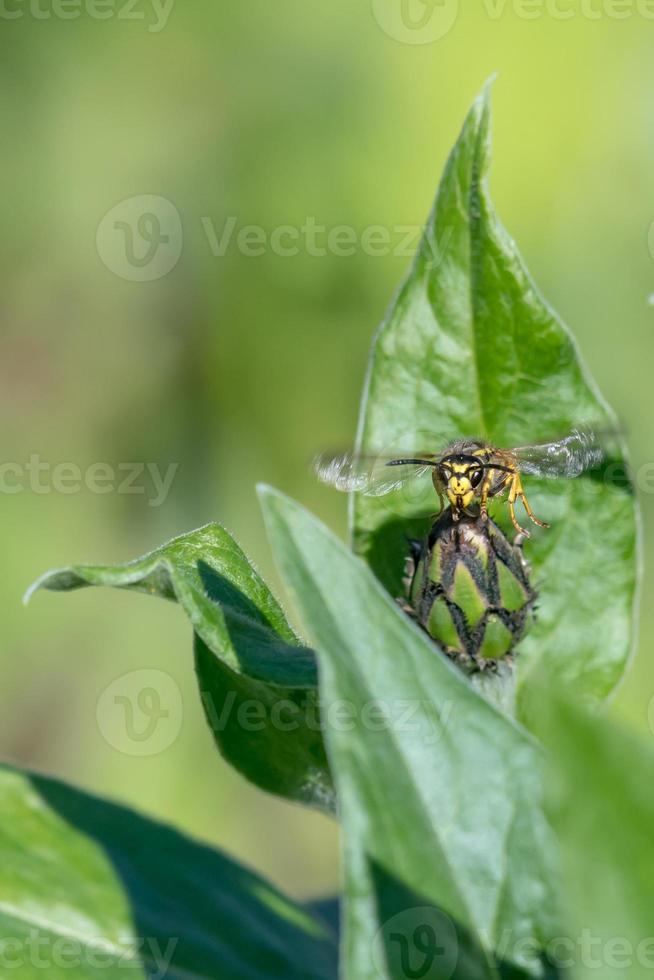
[[141, 712]]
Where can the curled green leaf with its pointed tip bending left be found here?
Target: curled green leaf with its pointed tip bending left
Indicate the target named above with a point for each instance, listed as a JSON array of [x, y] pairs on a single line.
[[258, 685]]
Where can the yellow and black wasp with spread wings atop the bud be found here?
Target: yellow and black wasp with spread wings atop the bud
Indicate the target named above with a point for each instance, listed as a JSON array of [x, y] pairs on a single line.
[[468, 473]]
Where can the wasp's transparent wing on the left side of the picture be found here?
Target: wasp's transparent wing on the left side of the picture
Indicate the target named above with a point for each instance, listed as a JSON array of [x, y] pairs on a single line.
[[371, 475]]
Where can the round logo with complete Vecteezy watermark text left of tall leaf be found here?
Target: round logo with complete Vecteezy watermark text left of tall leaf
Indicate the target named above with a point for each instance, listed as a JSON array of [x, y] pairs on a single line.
[[141, 239]]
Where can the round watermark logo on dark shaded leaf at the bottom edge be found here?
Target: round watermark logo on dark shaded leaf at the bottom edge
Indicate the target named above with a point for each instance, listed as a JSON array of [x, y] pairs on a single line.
[[416, 944]]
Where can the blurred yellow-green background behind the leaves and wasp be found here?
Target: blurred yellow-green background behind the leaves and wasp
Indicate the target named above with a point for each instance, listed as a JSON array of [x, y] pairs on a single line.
[[239, 367]]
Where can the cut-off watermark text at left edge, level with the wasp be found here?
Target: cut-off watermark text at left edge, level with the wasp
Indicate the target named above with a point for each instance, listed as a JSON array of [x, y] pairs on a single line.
[[39, 476]]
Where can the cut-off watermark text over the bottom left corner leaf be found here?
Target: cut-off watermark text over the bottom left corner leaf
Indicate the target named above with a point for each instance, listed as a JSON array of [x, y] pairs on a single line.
[[42, 951]]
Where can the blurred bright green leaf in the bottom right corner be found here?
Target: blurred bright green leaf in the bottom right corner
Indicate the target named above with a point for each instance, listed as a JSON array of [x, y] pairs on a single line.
[[602, 807]]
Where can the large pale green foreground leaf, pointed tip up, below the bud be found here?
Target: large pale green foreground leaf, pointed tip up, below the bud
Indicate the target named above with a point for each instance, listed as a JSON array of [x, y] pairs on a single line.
[[438, 790]]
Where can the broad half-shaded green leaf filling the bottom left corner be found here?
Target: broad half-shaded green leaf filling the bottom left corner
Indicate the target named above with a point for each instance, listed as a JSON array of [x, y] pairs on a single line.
[[89, 889]]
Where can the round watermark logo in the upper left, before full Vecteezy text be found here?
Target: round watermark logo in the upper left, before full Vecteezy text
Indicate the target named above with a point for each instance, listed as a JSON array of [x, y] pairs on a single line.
[[140, 239]]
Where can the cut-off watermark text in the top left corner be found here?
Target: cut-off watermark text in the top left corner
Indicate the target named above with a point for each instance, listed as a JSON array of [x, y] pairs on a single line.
[[153, 13]]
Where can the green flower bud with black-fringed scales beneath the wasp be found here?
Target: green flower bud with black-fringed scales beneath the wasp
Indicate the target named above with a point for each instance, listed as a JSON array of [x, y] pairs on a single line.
[[469, 588]]
